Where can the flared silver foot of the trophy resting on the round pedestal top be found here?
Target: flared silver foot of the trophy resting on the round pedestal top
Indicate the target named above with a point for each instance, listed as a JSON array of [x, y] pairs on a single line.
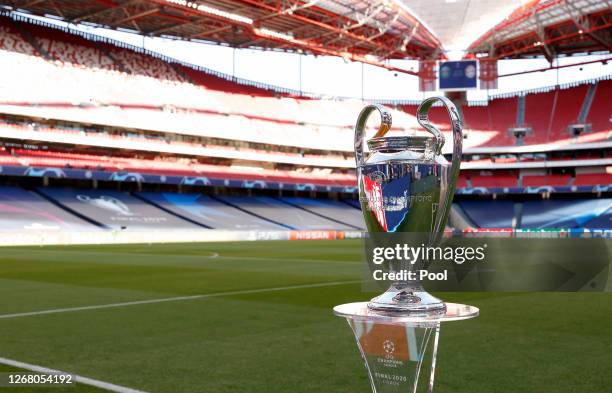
[[407, 299]]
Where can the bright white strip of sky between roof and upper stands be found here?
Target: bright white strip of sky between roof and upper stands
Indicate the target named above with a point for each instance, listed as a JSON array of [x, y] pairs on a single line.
[[337, 77]]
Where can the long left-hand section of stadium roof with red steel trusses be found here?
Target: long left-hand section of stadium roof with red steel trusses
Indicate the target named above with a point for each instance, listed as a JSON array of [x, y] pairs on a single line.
[[370, 31]]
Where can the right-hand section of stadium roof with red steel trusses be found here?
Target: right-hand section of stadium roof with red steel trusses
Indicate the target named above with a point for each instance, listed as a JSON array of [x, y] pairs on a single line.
[[550, 27]]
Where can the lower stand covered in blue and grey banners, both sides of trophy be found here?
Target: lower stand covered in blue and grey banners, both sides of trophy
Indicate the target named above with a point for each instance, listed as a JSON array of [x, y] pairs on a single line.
[[84, 209]]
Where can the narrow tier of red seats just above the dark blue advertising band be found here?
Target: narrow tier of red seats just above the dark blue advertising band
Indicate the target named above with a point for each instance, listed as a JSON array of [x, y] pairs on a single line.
[[48, 160]]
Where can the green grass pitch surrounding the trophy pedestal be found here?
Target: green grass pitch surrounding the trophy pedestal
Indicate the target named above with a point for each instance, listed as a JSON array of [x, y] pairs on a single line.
[[283, 340]]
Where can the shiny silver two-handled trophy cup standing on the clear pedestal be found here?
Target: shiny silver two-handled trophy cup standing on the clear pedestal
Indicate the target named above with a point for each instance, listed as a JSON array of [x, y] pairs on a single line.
[[406, 187]]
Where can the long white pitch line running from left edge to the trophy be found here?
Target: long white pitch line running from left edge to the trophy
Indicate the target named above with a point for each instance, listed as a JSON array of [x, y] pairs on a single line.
[[174, 299]]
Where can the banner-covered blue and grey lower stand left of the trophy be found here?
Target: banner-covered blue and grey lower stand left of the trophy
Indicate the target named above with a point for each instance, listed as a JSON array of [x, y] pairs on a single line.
[[87, 209]]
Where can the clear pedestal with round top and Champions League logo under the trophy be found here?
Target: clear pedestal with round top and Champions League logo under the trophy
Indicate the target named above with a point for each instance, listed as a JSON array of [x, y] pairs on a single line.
[[400, 349]]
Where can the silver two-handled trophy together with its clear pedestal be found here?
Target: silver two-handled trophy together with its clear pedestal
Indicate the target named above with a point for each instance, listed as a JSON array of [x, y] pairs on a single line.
[[406, 188]]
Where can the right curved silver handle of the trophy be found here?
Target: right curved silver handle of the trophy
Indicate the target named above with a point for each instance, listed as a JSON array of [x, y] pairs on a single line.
[[449, 187]]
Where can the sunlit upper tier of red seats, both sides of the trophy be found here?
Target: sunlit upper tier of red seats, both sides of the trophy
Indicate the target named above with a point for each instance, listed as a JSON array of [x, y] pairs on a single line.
[[51, 66]]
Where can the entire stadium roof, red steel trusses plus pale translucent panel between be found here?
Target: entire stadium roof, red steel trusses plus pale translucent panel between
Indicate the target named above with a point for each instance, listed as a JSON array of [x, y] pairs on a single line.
[[370, 31]]
